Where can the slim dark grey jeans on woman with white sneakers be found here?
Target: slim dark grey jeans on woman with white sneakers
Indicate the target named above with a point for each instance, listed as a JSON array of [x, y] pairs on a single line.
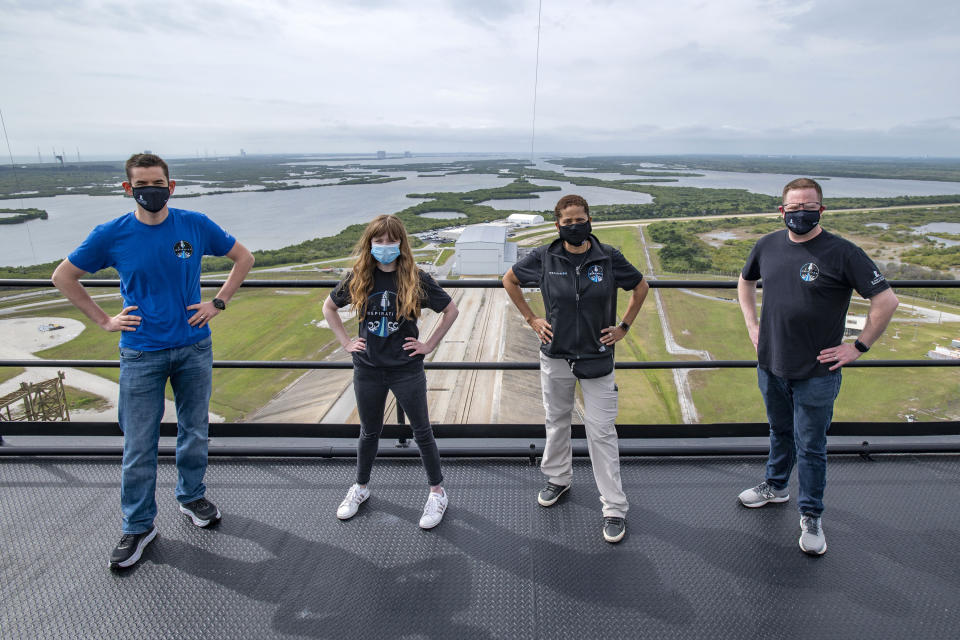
[[409, 387]]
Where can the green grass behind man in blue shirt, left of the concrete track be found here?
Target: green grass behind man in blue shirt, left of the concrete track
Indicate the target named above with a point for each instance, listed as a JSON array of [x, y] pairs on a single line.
[[259, 325]]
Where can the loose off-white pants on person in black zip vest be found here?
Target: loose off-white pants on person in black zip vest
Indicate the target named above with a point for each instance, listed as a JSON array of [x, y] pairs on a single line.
[[600, 402]]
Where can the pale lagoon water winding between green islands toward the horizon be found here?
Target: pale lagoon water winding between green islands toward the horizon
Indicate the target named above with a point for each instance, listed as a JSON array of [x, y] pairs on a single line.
[[274, 219]]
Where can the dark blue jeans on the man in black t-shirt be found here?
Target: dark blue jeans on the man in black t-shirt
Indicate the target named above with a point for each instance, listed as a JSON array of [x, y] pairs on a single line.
[[799, 412]]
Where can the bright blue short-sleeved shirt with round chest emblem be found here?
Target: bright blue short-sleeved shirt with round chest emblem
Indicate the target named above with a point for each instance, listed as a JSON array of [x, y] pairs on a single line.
[[159, 269]]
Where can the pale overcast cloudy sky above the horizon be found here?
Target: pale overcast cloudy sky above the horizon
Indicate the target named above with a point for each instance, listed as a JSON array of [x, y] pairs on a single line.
[[846, 77]]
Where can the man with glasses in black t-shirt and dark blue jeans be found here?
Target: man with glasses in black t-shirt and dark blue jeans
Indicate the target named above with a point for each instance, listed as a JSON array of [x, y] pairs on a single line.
[[808, 276]]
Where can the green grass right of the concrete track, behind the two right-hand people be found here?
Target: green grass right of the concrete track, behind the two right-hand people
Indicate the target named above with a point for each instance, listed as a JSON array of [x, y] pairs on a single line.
[[731, 395]]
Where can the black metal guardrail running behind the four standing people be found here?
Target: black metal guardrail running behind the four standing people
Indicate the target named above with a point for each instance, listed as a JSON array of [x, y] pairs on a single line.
[[628, 432]]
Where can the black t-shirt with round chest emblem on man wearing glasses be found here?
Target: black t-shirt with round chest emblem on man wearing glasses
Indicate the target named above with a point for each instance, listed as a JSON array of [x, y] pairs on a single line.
[[806, 293]]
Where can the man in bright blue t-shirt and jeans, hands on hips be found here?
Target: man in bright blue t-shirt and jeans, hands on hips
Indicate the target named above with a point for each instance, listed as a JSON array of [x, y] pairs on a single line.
[[164, 335]]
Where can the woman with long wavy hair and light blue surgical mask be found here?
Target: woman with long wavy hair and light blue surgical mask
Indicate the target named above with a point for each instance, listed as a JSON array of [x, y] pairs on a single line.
[[387, 290]]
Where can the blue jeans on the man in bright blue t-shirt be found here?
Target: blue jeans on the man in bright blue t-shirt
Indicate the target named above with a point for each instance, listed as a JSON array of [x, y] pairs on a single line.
[[143, 377]]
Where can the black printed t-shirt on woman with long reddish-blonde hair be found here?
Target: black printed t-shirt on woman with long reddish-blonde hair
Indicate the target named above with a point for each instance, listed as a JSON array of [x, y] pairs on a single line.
[[380, 327]]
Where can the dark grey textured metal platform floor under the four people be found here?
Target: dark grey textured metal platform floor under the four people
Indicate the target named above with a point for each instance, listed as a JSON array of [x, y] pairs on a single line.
[[694, 564]]
